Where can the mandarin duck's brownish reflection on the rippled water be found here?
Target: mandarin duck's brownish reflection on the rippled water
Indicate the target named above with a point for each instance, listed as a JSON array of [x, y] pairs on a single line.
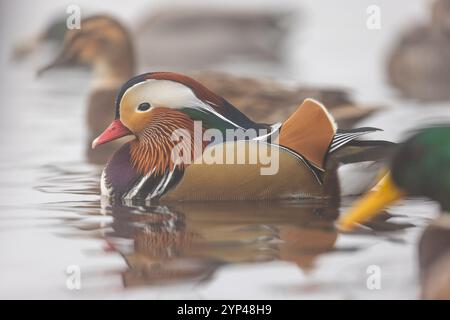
[[190, 241]]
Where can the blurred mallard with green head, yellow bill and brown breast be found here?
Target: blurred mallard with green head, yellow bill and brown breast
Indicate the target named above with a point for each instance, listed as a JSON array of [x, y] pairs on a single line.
[[420, 167]]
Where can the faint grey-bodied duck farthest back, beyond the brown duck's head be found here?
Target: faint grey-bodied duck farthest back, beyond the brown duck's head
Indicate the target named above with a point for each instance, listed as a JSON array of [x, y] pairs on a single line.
[[207, 37]]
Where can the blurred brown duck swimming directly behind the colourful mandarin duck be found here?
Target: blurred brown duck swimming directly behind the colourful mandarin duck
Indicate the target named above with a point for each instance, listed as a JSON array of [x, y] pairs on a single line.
[[105, 44]]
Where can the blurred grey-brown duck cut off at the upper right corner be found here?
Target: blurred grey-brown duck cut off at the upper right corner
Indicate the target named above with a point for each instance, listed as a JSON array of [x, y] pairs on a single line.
[[419, 64]]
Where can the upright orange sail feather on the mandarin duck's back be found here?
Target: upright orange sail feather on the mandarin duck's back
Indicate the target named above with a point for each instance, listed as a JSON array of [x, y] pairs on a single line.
[[309, 132]]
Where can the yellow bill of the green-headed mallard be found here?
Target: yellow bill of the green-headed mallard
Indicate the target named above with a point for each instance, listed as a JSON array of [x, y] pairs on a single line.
[[386, 192]]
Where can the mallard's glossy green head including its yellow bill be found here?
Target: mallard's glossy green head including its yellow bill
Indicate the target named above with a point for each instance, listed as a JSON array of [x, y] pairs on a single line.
[[420, 167]]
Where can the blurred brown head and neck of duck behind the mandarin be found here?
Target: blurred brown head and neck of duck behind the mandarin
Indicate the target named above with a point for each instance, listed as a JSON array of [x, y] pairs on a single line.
[[105, 45]]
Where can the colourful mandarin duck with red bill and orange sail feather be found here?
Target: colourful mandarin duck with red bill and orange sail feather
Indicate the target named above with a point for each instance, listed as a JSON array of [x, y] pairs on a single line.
[[152, 106]]
